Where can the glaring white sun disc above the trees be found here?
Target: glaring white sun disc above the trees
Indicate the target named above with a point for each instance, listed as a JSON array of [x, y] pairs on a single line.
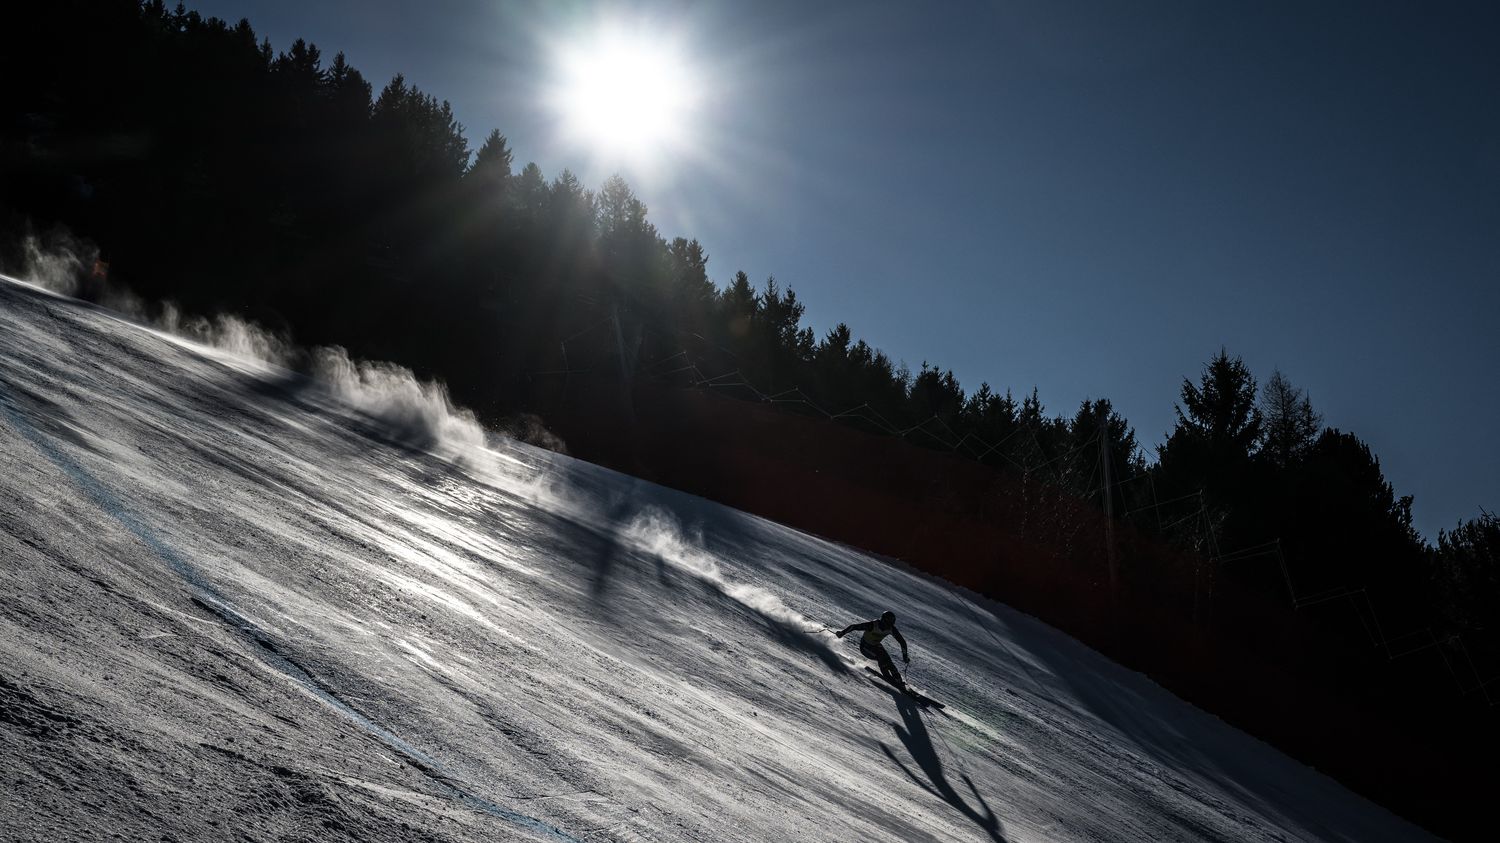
[[626, 95]]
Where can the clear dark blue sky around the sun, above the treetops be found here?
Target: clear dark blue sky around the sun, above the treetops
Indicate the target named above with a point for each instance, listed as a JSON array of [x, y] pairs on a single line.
[[1090, 200]]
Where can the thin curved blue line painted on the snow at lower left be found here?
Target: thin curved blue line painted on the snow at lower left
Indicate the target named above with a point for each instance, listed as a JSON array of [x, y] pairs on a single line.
[[212, 601]]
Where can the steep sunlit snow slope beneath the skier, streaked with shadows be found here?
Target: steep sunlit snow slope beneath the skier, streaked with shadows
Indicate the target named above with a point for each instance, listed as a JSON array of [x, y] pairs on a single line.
[[236, 607]]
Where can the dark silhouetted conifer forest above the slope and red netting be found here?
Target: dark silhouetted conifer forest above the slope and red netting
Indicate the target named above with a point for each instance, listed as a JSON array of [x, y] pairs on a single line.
[[214, 170]]
